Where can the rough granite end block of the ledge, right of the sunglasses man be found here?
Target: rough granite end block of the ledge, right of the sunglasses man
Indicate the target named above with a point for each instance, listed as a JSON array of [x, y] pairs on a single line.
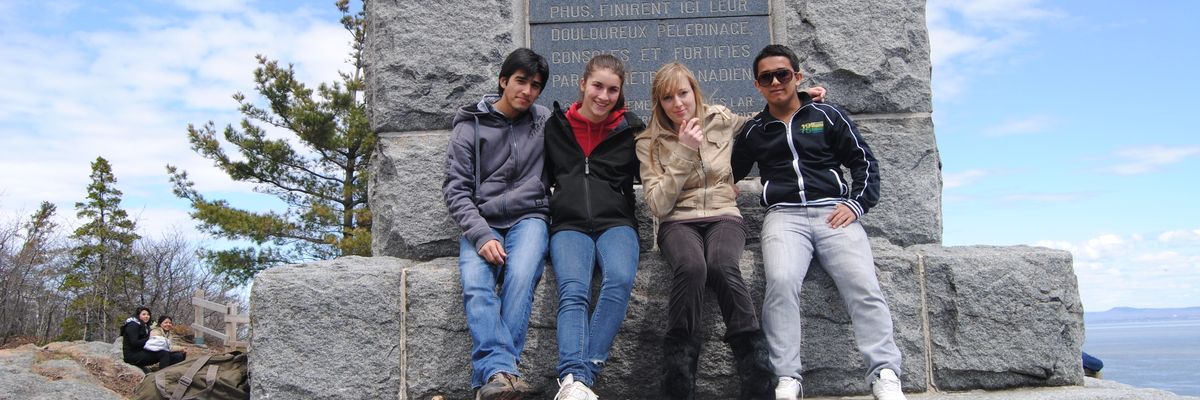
[[1003, 318]]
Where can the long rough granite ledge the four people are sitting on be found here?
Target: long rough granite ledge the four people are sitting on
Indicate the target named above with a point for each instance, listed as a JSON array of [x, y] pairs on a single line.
[[999, 318]]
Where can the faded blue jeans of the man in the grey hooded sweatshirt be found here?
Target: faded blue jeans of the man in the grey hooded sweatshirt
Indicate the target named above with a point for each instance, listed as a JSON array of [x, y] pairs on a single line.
[[499, 323]]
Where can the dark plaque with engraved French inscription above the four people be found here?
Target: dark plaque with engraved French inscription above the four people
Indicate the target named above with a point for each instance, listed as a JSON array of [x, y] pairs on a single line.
[[716, 39]]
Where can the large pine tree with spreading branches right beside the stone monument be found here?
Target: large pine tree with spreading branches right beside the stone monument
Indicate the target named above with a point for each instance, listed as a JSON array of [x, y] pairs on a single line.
[[325, 184]]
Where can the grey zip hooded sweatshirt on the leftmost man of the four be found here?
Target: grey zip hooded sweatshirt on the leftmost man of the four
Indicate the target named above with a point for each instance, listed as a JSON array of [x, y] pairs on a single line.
[[507, 186]]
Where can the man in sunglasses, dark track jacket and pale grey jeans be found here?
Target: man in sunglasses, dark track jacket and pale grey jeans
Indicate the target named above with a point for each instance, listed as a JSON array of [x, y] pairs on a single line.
[[801, 148]]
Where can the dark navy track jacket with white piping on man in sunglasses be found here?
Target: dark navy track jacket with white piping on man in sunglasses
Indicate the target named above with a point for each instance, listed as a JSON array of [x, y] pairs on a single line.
[[800, 163]]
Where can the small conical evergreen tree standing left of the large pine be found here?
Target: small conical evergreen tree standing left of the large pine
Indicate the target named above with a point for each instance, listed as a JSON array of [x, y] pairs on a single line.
[[101, 259]]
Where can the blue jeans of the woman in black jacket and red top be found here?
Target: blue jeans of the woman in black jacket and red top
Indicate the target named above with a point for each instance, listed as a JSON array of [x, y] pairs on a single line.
[[584, 343]]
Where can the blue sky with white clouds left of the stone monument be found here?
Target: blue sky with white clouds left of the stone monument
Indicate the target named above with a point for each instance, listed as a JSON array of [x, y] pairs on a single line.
[[127, 89]]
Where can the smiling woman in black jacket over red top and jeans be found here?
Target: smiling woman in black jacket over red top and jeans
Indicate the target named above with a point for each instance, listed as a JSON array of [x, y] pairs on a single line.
[[592, 164]]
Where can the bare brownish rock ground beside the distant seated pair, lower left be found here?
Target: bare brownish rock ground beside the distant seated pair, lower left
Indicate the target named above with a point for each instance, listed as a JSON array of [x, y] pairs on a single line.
[[77, 371]]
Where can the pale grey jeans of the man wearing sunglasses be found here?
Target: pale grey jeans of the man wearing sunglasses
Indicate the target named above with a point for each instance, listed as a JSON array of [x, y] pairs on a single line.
[[791, 236]]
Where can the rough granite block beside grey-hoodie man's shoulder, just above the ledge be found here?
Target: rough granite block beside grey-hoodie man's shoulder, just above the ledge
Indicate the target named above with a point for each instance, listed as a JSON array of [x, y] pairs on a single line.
[[410, 218]]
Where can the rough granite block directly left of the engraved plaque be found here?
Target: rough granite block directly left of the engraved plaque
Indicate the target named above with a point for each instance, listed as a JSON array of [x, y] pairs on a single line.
[[425, 59]]
